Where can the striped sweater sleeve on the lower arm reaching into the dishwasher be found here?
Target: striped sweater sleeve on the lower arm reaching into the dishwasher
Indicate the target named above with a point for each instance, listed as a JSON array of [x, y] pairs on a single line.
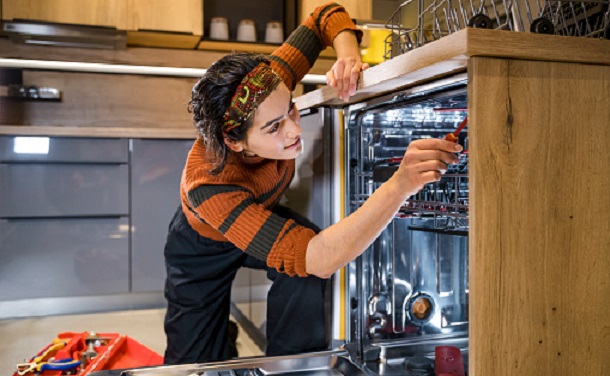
[[254, 229]]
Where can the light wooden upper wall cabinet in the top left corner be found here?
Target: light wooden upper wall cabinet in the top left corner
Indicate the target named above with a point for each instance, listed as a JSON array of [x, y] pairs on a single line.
[[180, 16]]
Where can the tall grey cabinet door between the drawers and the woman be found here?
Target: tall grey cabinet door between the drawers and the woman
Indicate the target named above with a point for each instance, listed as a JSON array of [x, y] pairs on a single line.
[[156, 168]]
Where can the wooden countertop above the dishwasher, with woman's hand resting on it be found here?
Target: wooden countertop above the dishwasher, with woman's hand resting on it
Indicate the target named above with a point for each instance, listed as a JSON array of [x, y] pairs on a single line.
[[450, 55]]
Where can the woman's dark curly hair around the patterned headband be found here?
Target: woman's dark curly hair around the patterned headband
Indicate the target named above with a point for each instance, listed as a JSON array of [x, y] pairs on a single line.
[[212, 95]]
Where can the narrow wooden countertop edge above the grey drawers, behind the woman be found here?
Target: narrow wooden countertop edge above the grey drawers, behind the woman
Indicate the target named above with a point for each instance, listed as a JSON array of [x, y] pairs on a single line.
[[100, 132]]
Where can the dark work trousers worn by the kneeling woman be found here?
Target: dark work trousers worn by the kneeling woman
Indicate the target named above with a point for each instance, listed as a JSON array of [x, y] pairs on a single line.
[[200, 272]]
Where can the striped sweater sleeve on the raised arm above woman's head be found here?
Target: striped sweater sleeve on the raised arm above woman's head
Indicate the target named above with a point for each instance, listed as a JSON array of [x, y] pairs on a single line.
[[293, 59]]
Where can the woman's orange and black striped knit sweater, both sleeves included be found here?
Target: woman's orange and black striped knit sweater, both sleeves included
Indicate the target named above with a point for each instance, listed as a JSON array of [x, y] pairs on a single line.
[[234, 205]]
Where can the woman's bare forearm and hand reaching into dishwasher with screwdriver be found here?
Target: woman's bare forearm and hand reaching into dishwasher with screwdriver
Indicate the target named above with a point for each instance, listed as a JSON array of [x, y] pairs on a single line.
[[424, 162]]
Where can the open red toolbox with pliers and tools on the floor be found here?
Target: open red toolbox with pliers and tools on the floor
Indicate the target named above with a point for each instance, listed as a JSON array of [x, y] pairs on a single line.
[[95, 351]]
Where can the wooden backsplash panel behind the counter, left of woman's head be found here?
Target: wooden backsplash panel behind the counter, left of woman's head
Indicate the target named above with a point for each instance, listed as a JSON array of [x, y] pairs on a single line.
[[108, 100]]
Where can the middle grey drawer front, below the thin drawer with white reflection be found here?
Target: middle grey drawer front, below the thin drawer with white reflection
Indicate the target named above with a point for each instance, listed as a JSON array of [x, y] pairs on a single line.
[[56, 190]]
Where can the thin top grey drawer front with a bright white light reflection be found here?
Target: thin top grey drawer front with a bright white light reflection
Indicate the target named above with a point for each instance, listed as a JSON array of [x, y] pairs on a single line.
[[58, 149]]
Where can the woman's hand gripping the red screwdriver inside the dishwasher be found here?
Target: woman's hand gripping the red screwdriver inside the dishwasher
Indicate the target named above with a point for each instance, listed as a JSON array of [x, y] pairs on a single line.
[[424, 162]]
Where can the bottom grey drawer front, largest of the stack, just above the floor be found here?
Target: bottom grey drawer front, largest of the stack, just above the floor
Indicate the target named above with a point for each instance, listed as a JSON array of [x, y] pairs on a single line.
[[63, 257]]
